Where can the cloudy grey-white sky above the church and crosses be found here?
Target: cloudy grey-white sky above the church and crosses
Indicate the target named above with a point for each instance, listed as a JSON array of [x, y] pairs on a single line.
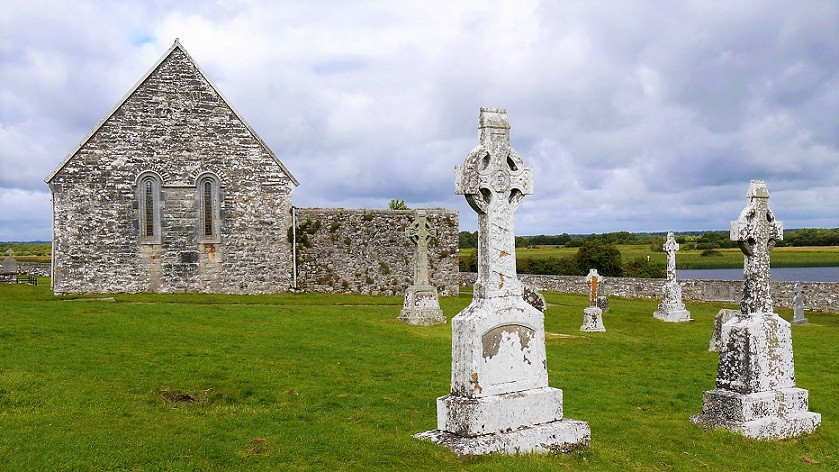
[[638, 116]]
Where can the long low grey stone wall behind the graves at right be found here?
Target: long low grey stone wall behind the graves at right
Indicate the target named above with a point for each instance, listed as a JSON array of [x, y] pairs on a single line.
[[821, 296]]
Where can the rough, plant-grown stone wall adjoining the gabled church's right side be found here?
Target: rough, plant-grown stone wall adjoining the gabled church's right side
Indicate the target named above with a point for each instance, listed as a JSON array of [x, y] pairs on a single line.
[[366, 251]]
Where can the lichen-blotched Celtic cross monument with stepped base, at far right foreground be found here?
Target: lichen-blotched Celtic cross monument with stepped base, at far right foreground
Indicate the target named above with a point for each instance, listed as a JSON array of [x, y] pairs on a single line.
[[756, 393]]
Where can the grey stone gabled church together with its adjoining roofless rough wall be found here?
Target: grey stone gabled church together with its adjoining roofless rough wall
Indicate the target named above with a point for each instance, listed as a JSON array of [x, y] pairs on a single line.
[[174, 192]]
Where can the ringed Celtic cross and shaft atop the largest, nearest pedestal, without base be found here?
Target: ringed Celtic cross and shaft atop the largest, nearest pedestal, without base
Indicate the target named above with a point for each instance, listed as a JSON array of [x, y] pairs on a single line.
[[494, 180]]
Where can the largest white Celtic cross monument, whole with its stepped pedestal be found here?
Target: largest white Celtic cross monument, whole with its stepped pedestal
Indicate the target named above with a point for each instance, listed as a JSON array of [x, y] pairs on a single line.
[[500, 400]]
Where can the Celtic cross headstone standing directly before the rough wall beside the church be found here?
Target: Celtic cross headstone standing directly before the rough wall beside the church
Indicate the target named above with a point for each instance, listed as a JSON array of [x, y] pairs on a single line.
[[421, 306]]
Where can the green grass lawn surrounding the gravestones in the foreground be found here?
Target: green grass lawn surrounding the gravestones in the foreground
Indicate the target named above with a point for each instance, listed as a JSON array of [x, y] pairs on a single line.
[[331, 382]]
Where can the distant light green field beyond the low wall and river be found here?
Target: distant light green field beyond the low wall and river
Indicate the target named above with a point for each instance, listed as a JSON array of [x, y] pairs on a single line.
[[732, 258]]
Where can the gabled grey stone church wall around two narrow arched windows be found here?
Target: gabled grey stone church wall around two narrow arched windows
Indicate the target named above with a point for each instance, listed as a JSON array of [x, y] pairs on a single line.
[[177, 126]]
